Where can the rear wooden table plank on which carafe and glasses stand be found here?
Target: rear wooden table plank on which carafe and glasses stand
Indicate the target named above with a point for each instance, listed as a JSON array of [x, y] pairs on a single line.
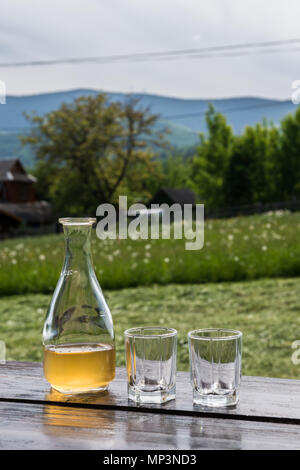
[[262, 399]]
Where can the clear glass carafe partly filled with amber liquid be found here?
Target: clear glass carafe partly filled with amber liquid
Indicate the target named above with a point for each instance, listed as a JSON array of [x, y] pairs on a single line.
[[78, 335]]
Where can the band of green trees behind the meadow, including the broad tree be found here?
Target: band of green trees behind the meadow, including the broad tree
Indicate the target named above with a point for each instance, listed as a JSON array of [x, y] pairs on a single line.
[[106, 149]]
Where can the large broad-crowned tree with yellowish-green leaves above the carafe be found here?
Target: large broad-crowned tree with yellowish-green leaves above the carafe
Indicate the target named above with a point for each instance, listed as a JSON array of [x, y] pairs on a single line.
[[85, 150]]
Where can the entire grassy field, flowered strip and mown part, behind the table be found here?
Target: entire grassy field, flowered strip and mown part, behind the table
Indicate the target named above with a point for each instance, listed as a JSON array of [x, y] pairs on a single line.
[[246, 277]]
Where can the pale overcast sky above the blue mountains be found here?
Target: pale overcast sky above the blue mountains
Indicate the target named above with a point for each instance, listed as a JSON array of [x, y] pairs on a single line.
[[53, 29]]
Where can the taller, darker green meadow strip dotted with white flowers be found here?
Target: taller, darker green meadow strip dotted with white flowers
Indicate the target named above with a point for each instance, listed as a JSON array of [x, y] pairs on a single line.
[[243, 248]]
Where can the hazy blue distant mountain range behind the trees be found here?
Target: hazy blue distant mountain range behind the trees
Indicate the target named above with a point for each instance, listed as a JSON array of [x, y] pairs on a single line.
[[184, 117]]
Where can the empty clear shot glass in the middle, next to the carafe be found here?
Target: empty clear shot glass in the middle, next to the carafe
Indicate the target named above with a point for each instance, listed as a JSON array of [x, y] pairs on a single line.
[[151, 364]]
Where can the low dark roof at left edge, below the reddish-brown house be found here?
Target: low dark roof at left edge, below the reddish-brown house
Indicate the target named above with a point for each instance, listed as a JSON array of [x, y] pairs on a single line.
[[28, 212]]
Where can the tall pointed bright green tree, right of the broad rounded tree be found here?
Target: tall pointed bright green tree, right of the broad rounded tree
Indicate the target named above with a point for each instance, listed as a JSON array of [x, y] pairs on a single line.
[[211, 160]]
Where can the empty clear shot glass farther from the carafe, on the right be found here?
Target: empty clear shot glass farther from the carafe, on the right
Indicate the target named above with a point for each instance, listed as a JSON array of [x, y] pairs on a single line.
[[215, 366]]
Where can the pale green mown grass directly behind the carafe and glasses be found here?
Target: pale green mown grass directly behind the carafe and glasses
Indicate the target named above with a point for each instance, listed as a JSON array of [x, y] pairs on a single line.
[[267, 311]]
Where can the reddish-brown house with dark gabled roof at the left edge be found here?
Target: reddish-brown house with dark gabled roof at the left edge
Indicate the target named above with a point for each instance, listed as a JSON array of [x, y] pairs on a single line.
[[18, 203]]
